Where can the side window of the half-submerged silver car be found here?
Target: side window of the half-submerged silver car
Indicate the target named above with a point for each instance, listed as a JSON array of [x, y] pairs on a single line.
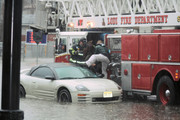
[[42, 72]]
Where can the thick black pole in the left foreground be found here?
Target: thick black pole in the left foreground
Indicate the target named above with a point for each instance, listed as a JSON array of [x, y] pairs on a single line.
[[11, 61]]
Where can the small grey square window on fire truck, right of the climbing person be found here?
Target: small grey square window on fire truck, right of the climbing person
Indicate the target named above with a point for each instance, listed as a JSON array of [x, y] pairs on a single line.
[[115, 44]]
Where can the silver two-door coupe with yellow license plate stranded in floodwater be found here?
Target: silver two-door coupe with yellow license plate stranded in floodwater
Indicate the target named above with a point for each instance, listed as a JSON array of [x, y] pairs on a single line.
[[66, 82]]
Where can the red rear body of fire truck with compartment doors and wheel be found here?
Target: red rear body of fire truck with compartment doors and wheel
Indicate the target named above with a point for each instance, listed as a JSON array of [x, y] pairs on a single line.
[[151, 65]]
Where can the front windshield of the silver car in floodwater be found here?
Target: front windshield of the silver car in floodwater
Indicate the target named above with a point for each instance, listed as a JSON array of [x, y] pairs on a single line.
[[72, 72]]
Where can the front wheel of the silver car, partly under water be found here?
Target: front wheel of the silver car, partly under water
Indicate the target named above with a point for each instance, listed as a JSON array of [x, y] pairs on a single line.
[[64, 96]]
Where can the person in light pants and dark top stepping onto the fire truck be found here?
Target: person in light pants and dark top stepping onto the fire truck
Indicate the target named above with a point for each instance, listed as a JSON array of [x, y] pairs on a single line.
[[101, 55]]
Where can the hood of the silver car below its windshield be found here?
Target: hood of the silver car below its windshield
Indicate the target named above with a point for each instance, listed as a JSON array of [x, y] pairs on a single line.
[[94, 84]]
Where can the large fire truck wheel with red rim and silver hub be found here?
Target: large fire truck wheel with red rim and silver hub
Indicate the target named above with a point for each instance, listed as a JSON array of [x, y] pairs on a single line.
[[166, 91]]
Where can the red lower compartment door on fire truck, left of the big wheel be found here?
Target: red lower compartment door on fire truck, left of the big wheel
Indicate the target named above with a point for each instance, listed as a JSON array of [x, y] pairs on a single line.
[[141, 76]]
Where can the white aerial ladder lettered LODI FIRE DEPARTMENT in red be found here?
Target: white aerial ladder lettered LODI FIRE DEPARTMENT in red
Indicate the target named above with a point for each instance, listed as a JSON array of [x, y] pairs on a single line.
[[85, 14]]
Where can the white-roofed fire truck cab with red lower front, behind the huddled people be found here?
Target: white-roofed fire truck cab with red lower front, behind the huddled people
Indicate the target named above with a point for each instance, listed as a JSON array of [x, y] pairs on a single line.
[[65, 41]]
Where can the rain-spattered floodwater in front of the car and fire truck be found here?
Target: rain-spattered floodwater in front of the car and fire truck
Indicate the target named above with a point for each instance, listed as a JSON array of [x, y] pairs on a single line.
[[130, 110]]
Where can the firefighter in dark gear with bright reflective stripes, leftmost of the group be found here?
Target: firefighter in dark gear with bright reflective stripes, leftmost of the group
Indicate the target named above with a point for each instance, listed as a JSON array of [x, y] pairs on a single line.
[[77, 52]]
